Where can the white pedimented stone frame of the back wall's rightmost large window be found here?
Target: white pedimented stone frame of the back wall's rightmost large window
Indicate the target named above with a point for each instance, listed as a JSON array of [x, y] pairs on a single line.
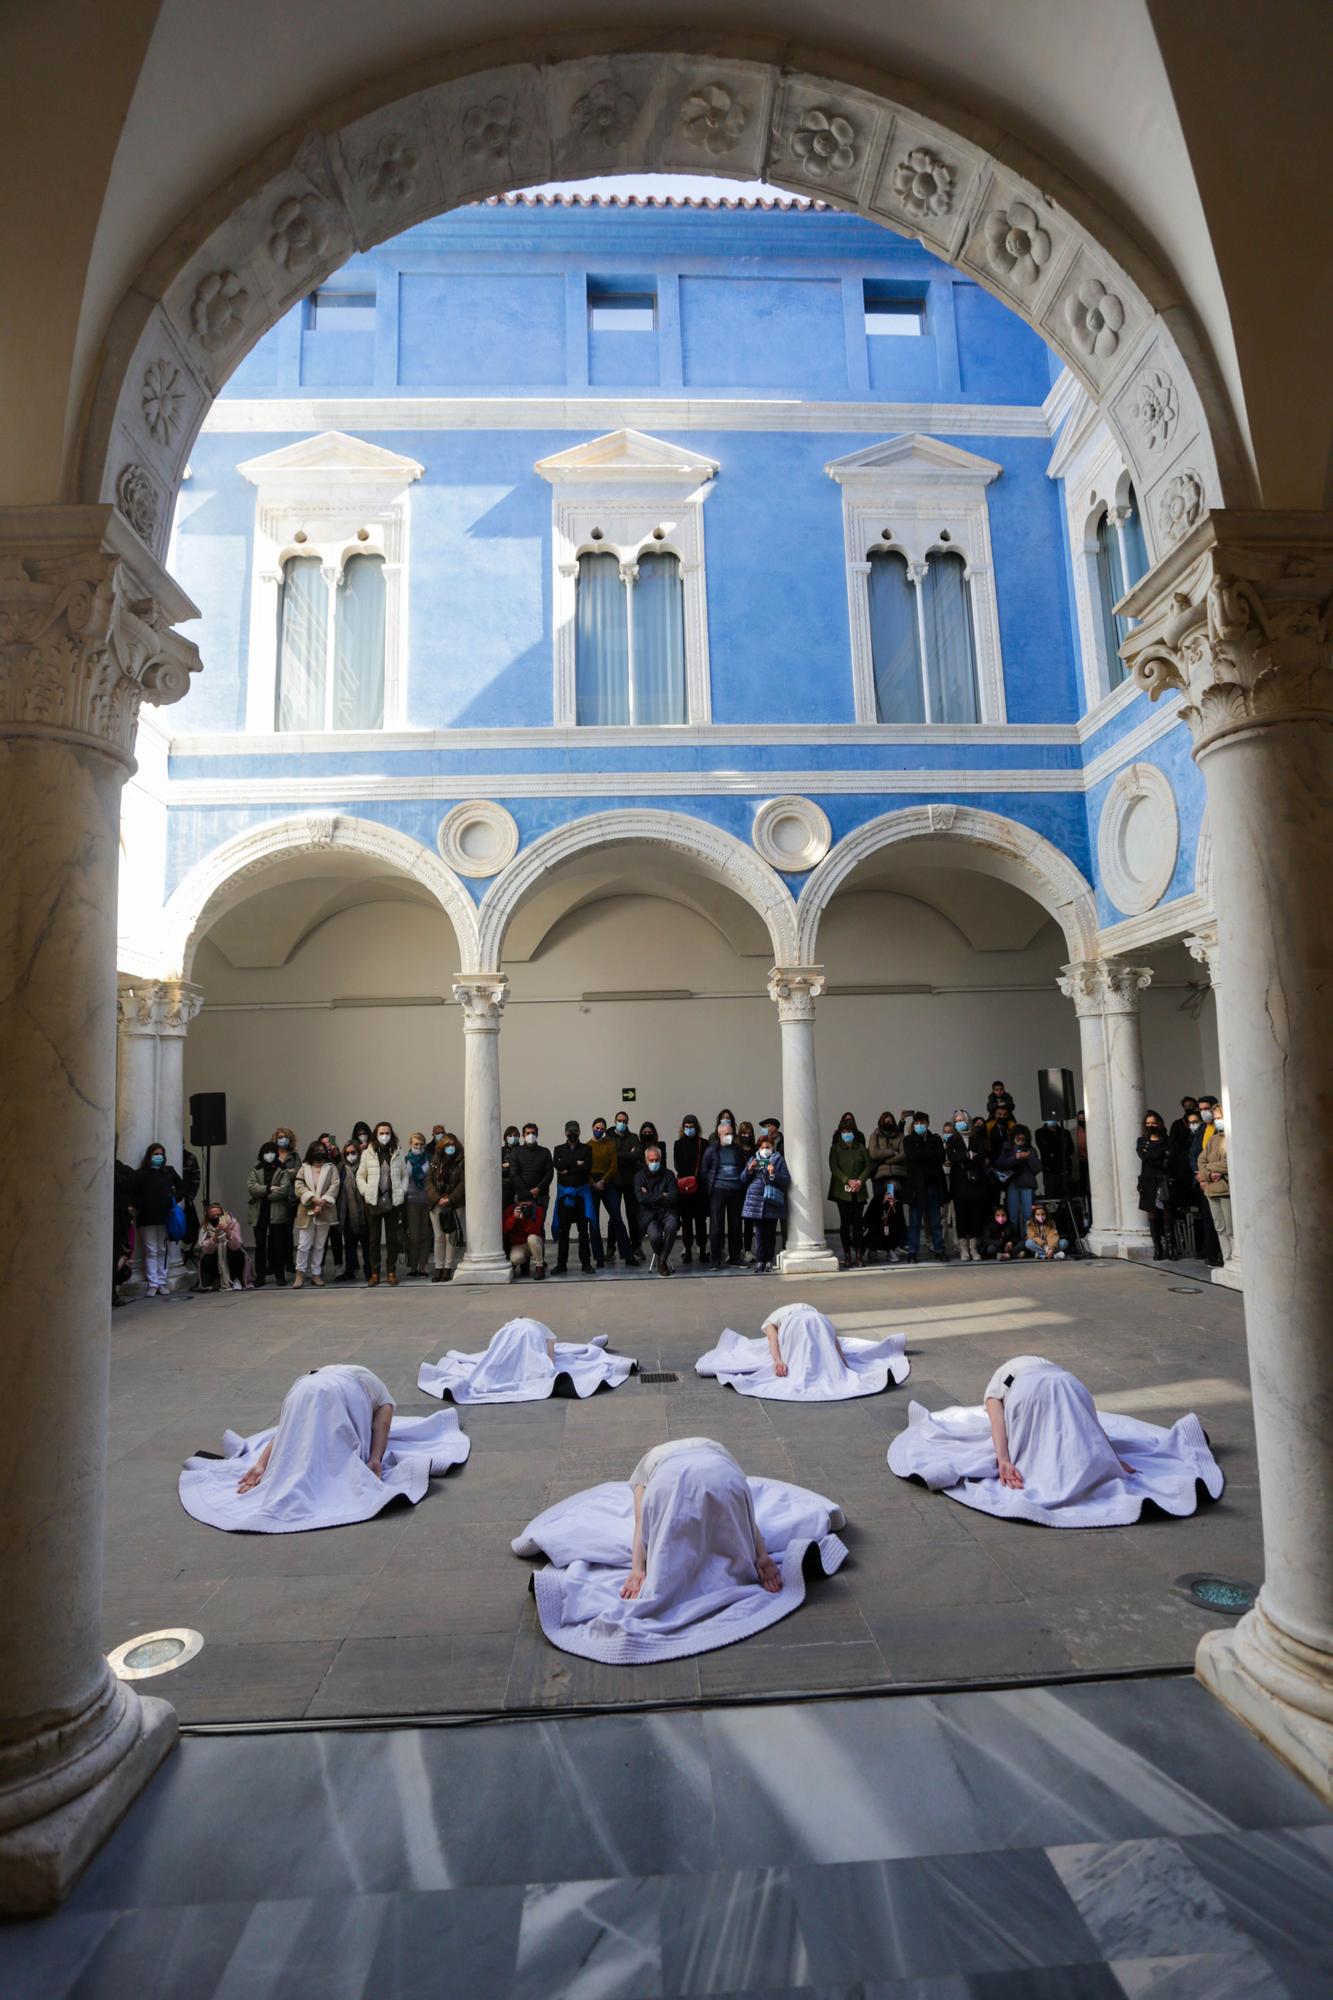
[[934, 501]]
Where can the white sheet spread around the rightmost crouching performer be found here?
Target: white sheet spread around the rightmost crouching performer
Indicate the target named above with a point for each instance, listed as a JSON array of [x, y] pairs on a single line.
[[1068, 1451]]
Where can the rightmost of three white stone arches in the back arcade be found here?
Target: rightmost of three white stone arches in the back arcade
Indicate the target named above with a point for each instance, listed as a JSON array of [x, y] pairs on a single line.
[[1002, 847]]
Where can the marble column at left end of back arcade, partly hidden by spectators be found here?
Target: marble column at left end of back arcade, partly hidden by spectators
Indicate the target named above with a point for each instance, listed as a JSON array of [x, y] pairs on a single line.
[[155, 1017]]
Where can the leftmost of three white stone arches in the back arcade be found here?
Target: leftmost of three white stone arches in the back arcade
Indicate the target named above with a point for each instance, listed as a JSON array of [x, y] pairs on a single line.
[[229, 873]]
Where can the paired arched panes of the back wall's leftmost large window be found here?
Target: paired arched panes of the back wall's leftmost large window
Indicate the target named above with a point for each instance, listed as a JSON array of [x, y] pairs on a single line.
[[331, 647]]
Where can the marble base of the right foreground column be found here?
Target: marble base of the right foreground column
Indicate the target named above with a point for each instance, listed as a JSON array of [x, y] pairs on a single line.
[[1280, 1689]]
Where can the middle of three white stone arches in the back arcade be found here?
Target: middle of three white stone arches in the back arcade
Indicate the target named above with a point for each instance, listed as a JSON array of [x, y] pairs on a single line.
[[716, 851]]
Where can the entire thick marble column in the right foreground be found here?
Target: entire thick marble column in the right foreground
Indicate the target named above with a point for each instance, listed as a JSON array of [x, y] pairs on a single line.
[[1240, 617]]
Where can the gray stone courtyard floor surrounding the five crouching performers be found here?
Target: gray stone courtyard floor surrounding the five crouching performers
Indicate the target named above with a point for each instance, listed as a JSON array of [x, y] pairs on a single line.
[[425, 1611]]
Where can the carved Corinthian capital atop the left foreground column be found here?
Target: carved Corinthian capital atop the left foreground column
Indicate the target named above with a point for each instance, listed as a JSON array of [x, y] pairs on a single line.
[[85, 629]]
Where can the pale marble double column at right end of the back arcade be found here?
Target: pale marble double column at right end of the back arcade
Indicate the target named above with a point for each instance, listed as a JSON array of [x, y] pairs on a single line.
[[1106, 995]]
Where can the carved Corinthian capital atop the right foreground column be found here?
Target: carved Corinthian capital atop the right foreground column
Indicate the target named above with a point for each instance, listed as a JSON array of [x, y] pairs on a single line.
[[1240, 619]]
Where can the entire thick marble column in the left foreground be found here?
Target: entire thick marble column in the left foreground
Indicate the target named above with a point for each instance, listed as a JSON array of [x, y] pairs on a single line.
[[85, 637]]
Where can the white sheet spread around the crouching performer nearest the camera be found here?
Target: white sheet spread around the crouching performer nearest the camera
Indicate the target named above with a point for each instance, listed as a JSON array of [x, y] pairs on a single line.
[[702, 1585]]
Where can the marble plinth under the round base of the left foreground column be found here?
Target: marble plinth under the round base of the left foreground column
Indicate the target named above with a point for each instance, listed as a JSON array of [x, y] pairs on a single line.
[[43, 1859]]
